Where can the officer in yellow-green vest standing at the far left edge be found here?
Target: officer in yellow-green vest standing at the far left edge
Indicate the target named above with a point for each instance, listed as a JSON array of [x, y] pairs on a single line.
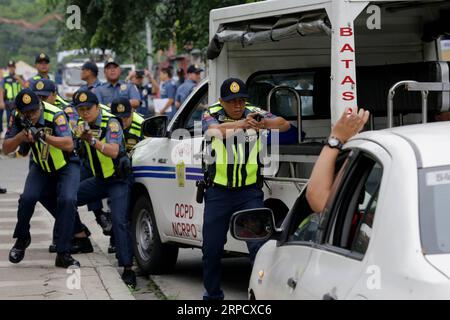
[[10, 86]]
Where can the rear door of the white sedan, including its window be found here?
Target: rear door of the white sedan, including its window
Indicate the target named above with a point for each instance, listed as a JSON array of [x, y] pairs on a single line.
[[337, 262]]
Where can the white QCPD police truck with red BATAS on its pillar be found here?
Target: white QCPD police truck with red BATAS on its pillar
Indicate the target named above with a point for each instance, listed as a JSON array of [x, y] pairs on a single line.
[[306, 61]]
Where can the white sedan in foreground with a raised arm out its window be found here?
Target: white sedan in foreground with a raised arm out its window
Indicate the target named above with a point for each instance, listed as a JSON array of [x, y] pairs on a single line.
[[384, 233]]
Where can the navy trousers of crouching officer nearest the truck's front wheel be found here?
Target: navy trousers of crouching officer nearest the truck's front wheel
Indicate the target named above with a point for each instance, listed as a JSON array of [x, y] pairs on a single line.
[[117, 191]]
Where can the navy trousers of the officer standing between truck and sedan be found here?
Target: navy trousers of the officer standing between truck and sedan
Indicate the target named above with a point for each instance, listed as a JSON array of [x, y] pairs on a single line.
[[220, 204]]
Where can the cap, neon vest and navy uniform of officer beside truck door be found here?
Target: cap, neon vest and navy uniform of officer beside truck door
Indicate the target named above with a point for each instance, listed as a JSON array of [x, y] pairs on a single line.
[[234, 183]]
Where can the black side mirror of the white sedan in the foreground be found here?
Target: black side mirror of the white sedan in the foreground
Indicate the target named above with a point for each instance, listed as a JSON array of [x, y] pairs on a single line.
[[253, 224]]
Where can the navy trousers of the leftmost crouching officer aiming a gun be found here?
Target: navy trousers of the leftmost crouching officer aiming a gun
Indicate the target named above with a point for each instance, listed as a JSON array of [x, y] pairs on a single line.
[[58, 193]]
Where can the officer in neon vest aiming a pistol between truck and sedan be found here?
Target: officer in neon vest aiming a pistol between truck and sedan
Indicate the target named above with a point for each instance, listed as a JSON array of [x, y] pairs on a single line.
[[231, 186]]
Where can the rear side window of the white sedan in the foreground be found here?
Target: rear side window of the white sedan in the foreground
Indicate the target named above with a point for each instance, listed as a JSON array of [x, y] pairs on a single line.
[[355, 206]]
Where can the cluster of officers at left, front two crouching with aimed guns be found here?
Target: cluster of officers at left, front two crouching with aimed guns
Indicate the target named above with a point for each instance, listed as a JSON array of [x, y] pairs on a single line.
[[79, 154]]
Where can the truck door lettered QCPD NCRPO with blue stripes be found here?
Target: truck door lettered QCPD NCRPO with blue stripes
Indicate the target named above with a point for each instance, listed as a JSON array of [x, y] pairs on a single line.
[[179, 170]]
